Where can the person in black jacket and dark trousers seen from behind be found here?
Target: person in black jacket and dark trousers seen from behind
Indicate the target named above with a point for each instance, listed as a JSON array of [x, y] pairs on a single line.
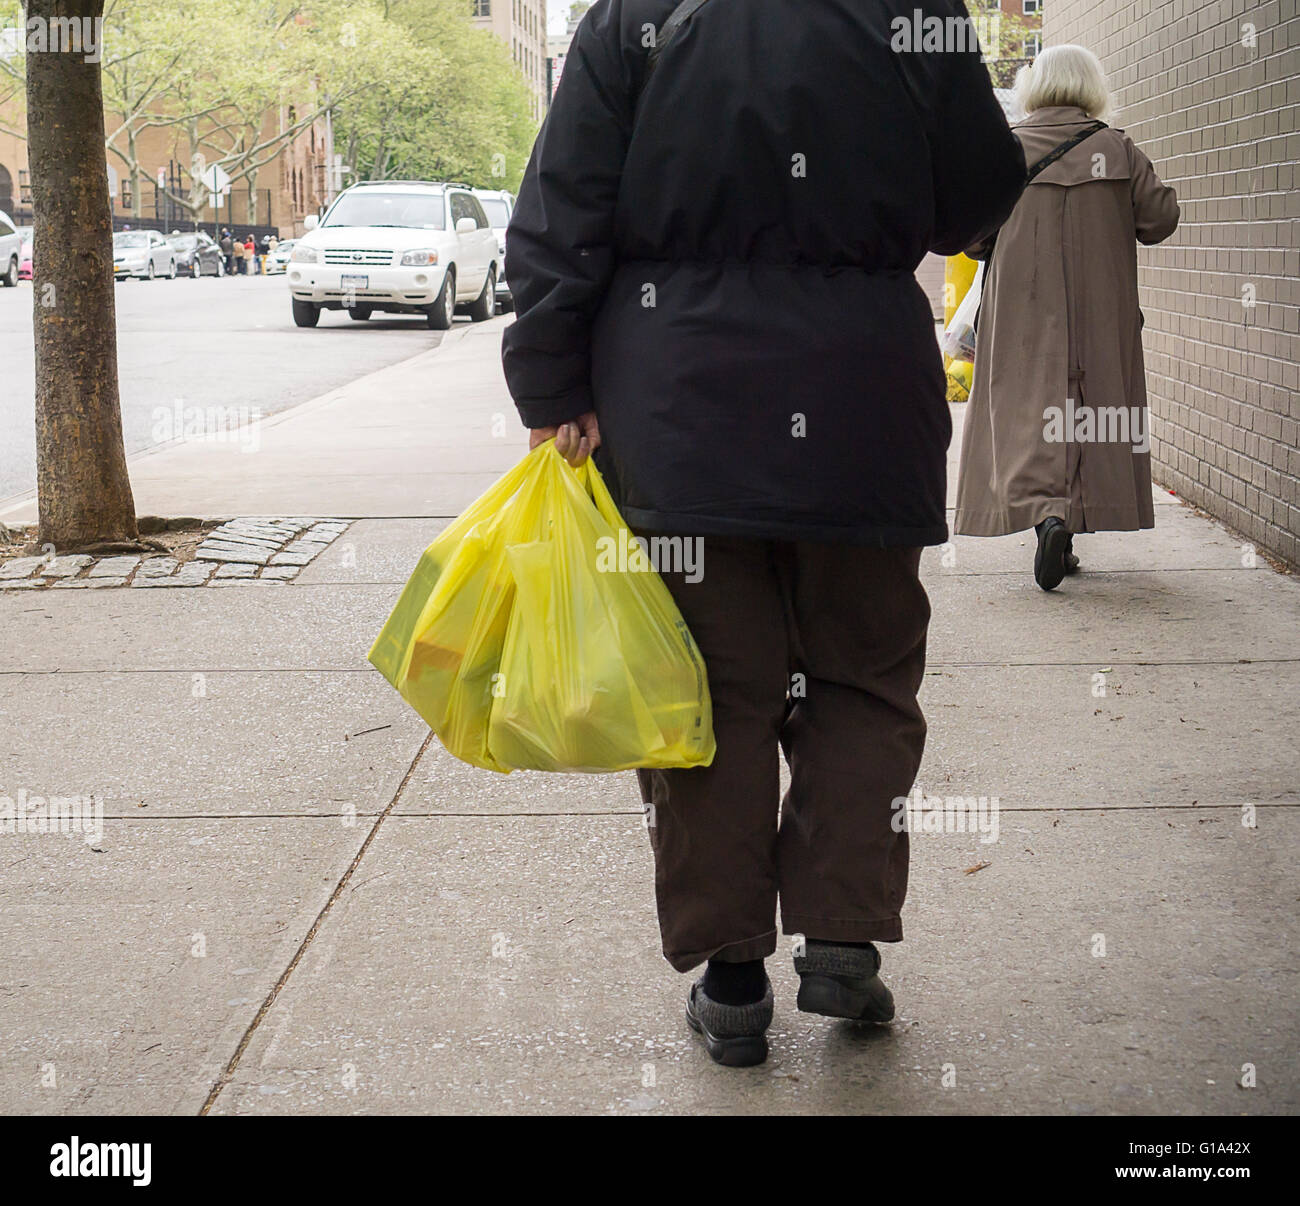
[[713, 268]]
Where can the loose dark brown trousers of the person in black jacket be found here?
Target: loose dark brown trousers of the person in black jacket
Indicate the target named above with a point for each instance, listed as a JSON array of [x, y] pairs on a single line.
[[818, 650]]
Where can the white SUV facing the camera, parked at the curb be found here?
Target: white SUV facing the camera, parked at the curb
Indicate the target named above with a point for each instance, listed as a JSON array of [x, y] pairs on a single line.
[[398, 246]]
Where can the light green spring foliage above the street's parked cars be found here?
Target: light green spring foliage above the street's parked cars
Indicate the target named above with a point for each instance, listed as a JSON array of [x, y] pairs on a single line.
[[414, 88]]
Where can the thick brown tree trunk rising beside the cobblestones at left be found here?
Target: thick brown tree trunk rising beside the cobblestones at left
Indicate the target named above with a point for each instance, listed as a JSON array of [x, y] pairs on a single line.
[[84, 492]]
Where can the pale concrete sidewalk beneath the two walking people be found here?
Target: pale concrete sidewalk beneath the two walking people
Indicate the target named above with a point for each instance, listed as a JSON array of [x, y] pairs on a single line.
[[301, 905]]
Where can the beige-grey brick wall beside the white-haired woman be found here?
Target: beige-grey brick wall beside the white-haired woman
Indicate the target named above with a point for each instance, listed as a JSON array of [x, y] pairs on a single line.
[[1220, 122]]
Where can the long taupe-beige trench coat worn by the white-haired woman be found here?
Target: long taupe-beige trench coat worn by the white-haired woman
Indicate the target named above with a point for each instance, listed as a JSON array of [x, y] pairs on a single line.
[[1058, 415]]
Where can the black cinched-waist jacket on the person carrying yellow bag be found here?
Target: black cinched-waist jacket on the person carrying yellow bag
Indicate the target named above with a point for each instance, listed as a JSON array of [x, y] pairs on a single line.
[[721, 266]]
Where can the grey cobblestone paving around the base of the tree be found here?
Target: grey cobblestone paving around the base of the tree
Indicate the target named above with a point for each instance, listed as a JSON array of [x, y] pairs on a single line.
[[244, 550]]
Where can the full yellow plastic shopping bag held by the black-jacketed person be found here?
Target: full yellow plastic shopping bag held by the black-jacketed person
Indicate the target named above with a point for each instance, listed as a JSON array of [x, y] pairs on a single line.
[[526, 647]]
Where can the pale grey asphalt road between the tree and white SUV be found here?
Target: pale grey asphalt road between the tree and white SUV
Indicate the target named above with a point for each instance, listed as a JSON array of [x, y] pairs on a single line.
[[215, 342]]
